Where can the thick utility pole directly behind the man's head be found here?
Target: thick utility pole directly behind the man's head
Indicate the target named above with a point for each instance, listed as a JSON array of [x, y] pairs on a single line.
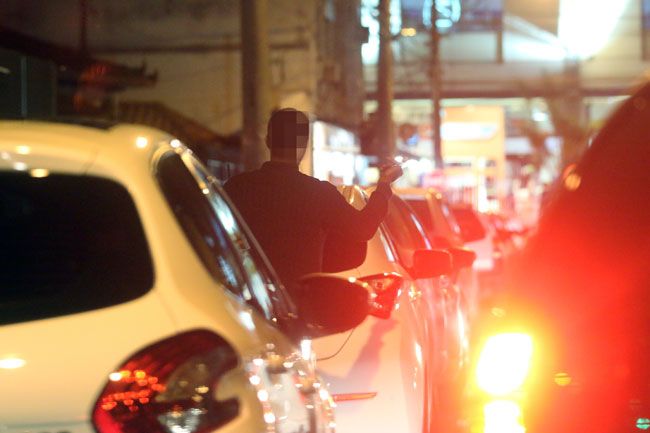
[[256, 82]]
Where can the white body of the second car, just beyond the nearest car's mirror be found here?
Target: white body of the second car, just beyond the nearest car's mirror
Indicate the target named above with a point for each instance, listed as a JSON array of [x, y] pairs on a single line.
[[383, 374]]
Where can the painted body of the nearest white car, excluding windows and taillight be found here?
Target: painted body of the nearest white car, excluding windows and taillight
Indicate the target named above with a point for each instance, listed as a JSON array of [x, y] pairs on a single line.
[[53, 369]]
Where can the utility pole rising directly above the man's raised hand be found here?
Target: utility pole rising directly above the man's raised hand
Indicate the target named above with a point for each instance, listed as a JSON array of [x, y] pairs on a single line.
[[384, 124]]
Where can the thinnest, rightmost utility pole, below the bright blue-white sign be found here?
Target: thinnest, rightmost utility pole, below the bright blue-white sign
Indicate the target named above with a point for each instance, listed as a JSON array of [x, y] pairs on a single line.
[[436, 88]]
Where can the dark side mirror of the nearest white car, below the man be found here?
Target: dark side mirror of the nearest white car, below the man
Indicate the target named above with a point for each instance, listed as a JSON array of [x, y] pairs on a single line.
[[328, 304]]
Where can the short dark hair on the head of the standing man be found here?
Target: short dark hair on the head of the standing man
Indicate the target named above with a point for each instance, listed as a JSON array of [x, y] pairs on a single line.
[[286, 127]]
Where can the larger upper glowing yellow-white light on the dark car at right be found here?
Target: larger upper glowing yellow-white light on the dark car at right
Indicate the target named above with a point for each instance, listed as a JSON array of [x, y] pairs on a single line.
[[504, 363]]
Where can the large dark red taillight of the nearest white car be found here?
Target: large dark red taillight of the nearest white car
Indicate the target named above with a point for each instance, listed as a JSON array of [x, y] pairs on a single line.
[[169, 387]]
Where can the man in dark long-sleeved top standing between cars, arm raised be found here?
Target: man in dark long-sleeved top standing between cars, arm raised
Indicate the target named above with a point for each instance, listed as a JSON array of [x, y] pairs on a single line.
[[292, 214]]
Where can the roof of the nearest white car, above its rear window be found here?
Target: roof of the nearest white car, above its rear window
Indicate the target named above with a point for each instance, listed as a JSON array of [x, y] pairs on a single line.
[[73, 147]]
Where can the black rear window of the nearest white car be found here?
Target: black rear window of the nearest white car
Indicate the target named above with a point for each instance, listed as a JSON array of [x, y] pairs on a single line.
[[69, 244]]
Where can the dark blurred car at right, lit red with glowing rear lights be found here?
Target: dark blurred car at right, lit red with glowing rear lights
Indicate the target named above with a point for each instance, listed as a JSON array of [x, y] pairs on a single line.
[[567, 347]]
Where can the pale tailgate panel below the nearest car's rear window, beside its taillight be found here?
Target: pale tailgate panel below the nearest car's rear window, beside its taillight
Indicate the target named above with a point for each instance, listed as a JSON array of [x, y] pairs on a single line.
[[54, 369]]
